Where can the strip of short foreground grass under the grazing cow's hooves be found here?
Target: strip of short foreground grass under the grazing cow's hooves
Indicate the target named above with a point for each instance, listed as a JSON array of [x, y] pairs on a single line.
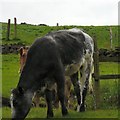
[[41, 113]]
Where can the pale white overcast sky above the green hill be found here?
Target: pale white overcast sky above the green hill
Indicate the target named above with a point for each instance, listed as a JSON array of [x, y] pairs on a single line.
[[64, 12]]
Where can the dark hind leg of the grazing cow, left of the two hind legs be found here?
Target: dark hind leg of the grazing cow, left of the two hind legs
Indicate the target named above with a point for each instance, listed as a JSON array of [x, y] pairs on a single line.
[[76, 84]]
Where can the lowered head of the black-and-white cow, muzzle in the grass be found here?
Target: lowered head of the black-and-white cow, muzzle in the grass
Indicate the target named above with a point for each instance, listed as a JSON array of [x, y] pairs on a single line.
[[20, 103]]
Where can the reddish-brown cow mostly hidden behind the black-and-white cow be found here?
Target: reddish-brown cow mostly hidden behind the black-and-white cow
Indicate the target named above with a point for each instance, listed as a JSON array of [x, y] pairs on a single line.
[[36, 98]]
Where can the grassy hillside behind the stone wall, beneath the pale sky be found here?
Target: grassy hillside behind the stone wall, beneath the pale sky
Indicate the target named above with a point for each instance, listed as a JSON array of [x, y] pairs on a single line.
[[27, 33]]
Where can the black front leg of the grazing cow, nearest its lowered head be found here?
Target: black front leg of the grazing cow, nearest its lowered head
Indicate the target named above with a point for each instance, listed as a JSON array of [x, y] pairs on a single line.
[[49, 103]]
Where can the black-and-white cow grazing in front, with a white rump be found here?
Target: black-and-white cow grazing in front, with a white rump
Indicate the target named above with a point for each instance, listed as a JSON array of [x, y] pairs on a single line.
[[49, 60]]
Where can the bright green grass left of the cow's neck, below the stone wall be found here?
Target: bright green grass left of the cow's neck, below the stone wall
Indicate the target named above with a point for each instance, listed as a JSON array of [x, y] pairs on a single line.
[[10, 75]]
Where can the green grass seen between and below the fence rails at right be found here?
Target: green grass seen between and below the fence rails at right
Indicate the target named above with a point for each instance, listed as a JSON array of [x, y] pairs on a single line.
[[109, 88]]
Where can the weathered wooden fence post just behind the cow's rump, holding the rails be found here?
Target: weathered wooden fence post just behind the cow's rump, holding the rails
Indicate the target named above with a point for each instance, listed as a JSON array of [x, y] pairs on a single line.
[[96, 74]]
